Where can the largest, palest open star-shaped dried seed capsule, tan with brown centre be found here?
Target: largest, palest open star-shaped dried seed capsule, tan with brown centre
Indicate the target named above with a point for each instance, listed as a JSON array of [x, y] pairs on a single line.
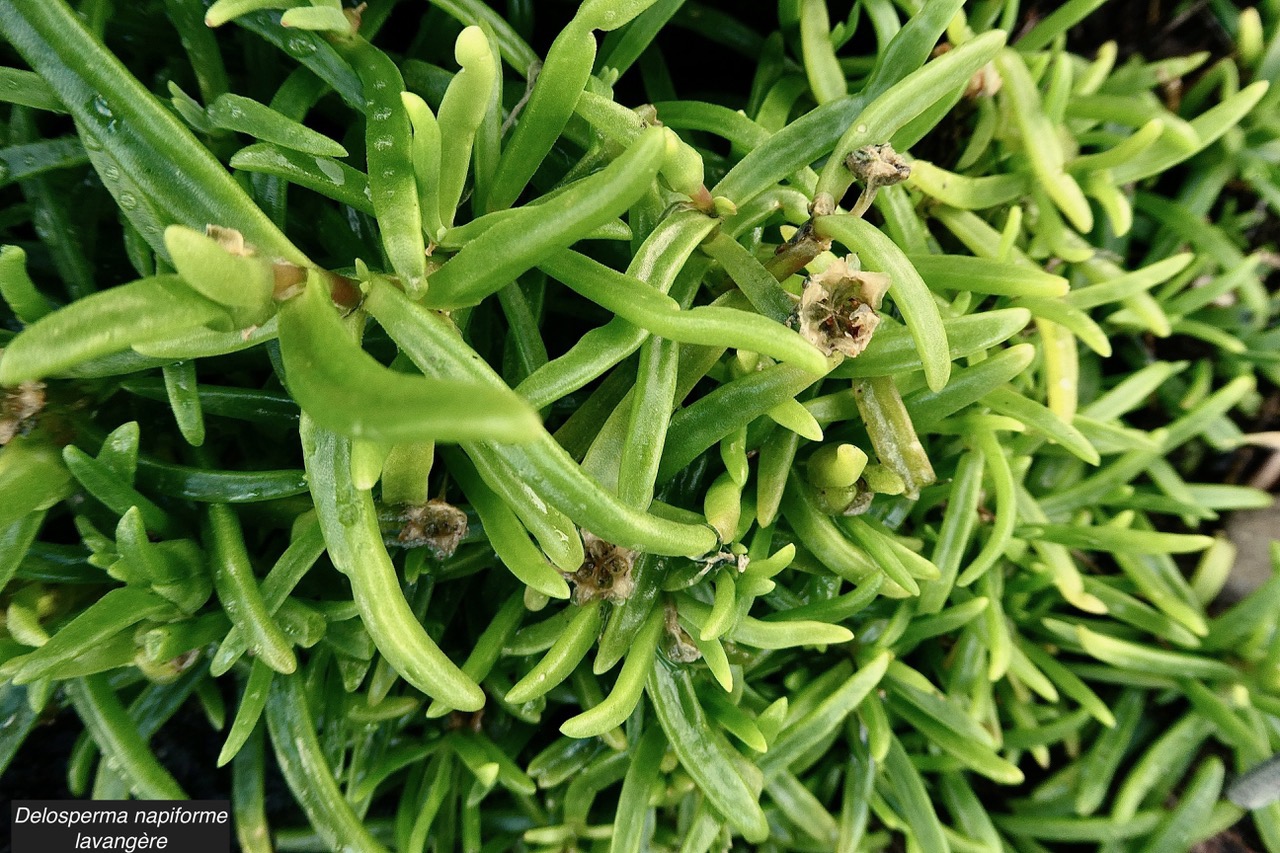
[[838, 308]]
